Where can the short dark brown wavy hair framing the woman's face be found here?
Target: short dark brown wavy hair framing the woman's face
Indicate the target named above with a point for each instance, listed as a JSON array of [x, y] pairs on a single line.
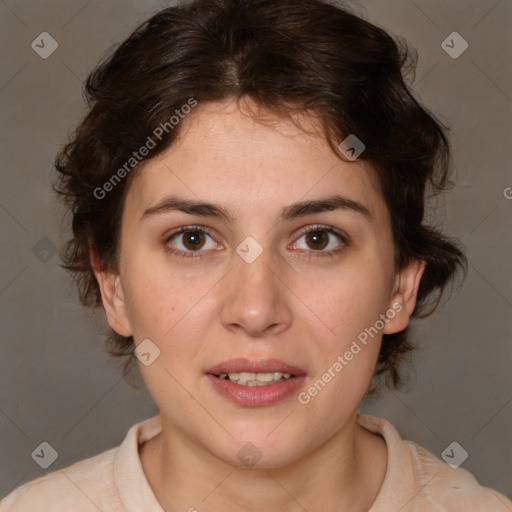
[[289, 57]]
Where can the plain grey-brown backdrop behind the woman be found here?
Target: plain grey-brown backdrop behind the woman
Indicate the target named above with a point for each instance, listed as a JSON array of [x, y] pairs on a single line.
[[57, 383]]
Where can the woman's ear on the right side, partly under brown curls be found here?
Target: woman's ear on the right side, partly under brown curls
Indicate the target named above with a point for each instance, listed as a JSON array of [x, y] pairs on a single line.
[[403, 300]]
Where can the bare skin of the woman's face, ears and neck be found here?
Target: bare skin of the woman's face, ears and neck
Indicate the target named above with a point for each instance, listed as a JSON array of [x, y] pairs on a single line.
[[285, 305]]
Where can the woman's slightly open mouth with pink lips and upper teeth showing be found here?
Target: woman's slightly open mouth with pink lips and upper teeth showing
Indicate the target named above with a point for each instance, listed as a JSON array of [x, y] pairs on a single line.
[[253, 383]]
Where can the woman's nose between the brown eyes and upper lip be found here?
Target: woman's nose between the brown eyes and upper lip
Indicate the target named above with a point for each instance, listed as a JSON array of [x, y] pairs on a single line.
[[256, 296]]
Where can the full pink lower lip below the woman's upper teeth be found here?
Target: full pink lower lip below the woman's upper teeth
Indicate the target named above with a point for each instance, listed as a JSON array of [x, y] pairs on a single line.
[[256, 396]]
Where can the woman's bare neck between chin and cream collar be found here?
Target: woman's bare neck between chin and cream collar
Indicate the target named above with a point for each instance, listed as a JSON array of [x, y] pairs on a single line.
[[344, 474]]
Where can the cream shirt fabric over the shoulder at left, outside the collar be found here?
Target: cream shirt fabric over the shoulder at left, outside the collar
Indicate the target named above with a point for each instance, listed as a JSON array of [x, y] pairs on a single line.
[[81, 487]]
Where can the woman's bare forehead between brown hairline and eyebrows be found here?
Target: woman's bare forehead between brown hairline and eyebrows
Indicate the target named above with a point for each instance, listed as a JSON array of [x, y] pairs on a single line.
[[251, 159]]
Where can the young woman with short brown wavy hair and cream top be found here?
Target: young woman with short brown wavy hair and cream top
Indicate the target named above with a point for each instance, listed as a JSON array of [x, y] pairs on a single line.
[[247, 191]]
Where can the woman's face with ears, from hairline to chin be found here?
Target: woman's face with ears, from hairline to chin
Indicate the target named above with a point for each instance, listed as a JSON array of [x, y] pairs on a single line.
[[265, 281]]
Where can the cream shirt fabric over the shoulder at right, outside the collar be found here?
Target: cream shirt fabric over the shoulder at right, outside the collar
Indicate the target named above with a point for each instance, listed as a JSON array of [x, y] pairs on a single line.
[[449, 488]]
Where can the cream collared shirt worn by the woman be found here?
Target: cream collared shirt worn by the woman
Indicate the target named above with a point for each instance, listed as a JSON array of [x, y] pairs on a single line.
[[114, 481]]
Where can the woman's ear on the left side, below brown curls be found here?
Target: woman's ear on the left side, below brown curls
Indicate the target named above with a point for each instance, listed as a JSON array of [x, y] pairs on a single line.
[[112, 296]]
